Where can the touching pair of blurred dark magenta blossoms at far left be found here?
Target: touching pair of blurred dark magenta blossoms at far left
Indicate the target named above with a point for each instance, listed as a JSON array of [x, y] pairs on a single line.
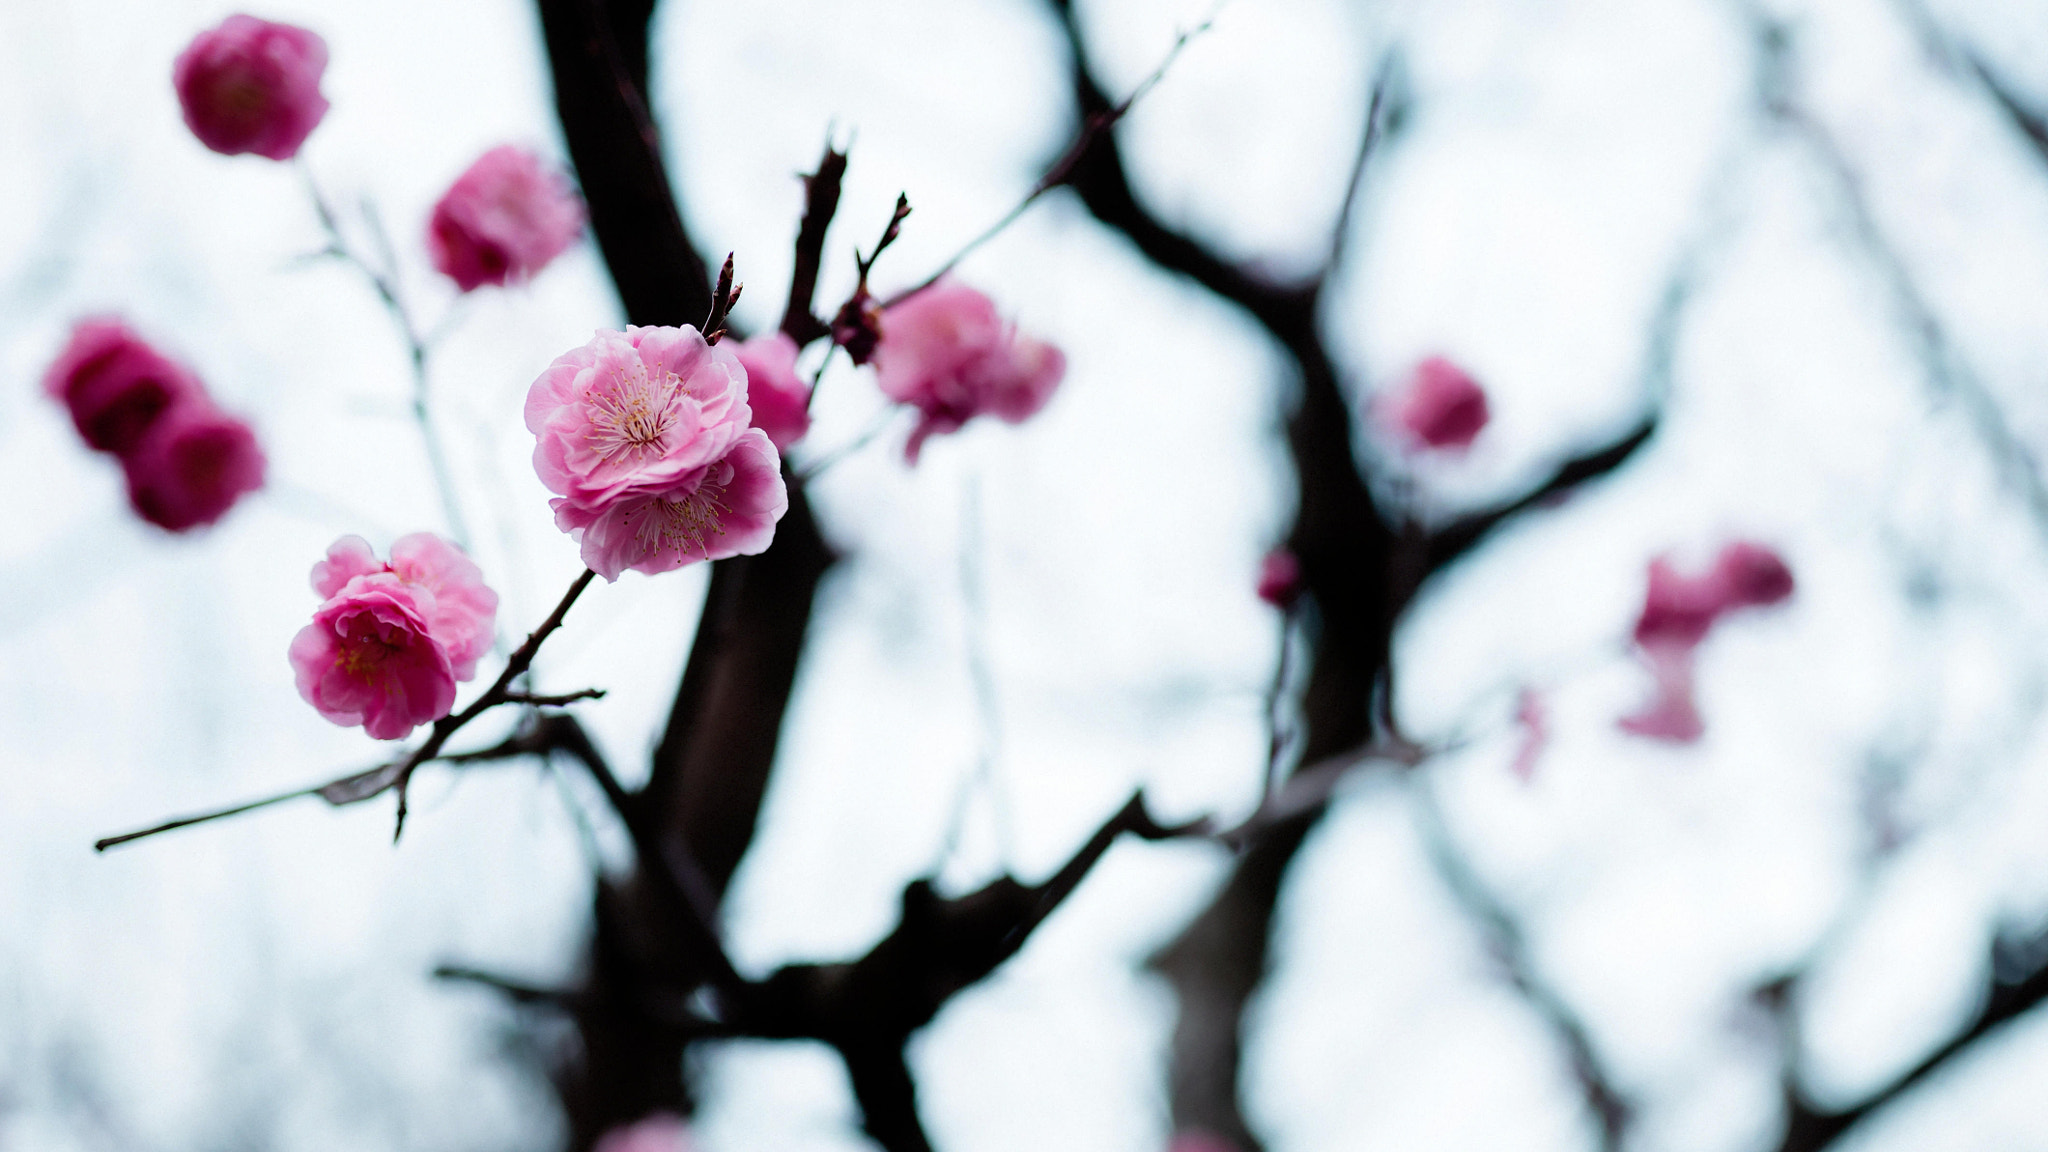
[[185, 460]]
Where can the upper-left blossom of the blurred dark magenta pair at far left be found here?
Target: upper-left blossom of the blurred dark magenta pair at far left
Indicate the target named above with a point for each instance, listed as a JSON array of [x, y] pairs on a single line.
[[116, 386]]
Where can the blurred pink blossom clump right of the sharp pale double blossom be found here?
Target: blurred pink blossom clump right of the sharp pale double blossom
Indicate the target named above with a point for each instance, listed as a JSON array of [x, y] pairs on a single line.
[[947, 354]]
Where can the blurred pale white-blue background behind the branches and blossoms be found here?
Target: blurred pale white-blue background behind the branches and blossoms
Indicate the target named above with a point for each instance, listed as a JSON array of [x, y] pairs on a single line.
[[1814, 237]]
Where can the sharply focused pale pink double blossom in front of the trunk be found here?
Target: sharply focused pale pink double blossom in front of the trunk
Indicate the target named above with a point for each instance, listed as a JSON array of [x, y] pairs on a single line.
[[648, 444]]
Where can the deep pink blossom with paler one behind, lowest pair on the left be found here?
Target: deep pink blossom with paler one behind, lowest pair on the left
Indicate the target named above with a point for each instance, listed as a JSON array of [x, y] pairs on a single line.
[[392, 639]]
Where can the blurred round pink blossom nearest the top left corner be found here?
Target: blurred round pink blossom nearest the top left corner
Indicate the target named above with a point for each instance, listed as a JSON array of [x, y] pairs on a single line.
[[253, 87]]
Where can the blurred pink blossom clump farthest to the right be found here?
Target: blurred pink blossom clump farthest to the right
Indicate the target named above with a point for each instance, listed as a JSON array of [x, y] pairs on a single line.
[[1678, 612]]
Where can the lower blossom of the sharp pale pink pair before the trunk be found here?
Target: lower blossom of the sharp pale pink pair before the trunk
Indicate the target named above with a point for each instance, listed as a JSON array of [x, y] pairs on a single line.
[[728, 507]]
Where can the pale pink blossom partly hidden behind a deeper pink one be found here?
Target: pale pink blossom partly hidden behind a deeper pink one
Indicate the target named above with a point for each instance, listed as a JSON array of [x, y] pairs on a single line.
[[445, 583]]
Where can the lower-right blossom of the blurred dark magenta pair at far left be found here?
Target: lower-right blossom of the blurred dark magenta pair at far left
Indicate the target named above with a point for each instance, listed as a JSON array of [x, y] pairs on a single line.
[[191, 466]]
